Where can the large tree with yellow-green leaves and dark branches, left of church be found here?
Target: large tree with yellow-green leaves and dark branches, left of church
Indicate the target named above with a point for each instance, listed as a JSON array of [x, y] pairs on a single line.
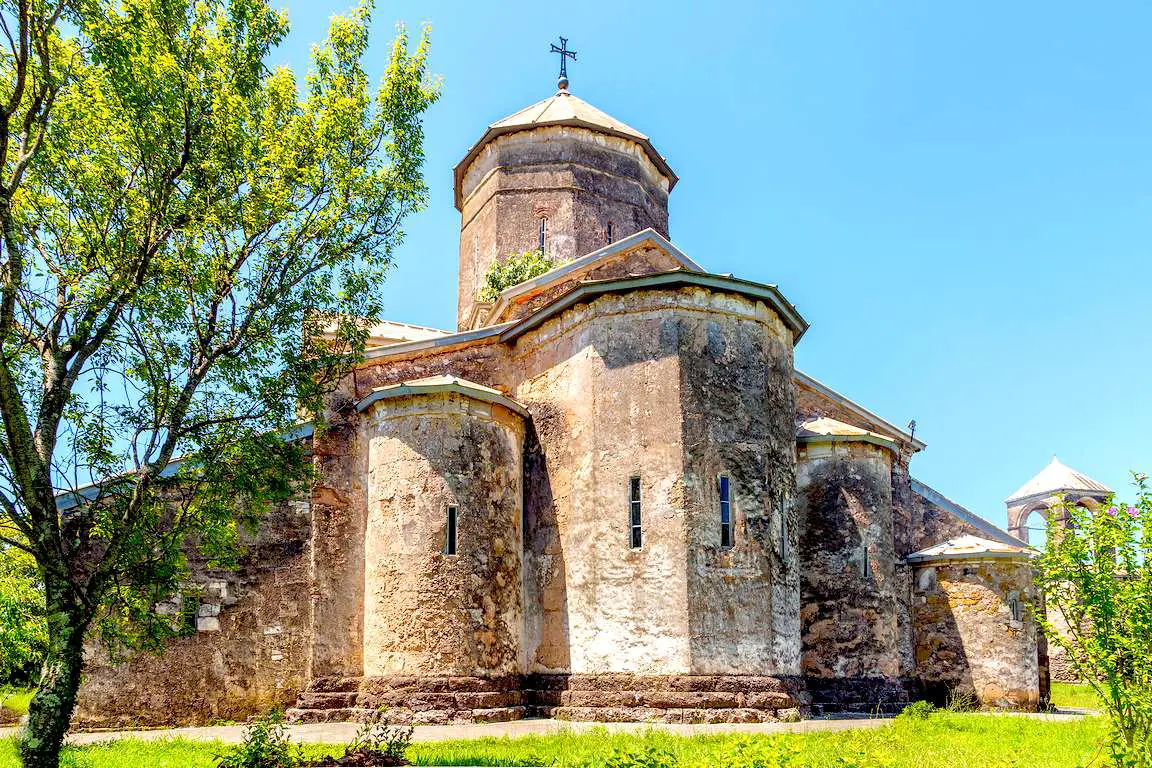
[[185, 238]]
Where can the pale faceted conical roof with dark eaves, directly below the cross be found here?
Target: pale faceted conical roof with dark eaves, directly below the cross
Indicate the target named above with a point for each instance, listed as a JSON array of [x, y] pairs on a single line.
[[563, 110]]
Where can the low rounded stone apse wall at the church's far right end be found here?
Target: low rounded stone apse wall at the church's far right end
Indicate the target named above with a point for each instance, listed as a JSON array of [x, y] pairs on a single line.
[[966, 638]]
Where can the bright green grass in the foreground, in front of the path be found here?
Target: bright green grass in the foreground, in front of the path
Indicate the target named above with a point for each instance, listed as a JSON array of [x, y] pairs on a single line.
[[944, 741]]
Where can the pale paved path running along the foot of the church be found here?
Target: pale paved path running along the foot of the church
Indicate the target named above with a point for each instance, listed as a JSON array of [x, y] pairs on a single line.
[[344, 733]]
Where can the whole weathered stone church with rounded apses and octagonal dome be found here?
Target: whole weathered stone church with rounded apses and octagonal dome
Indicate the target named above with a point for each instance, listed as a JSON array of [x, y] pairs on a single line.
[[607, 496]]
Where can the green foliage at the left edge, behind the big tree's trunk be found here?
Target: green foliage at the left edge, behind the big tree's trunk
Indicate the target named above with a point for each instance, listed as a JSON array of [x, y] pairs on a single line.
[[24, 632]]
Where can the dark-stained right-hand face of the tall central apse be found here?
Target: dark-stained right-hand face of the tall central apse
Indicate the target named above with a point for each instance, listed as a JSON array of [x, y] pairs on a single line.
[[738, 405]]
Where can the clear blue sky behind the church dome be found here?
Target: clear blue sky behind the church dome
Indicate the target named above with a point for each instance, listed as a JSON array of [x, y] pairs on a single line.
[[957, 196]]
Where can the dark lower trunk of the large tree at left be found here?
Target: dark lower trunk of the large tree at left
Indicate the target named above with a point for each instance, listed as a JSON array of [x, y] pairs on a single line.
[[50, 712]]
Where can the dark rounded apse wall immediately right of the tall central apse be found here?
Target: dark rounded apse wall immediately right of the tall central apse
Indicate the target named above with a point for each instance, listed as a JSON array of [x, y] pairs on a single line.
[[850, 585]]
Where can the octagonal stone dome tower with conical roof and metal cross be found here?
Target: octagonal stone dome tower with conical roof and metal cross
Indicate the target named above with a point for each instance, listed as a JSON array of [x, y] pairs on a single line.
[[560, 177]]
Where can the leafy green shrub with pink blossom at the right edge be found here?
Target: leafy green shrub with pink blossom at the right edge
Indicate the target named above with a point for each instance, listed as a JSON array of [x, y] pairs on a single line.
[[1097, 575]]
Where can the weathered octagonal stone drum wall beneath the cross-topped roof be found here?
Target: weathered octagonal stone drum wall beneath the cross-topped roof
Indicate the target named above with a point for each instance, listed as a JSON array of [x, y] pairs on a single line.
[[578, 179]]
